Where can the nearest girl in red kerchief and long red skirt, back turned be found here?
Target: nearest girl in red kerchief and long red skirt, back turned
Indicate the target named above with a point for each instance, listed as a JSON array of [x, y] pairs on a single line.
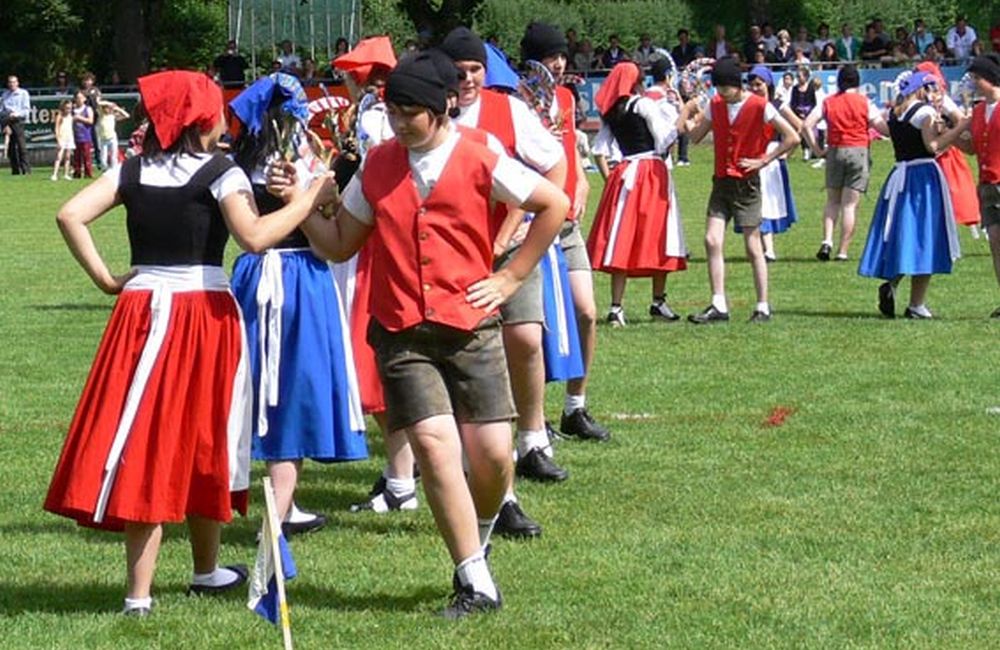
[[161, 432]]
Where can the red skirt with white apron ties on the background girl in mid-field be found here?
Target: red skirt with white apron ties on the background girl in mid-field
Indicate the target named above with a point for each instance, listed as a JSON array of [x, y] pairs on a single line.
[[632, 231]]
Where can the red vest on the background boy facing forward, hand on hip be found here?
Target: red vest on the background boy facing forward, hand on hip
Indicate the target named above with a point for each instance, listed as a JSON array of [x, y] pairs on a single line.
[[744, 138]]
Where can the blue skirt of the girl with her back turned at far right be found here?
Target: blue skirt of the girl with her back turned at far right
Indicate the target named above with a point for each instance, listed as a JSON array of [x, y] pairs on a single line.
[[913, 229]]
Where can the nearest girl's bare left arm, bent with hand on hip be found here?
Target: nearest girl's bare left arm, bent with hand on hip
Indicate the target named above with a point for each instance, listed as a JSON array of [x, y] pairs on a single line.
[[86, 206]]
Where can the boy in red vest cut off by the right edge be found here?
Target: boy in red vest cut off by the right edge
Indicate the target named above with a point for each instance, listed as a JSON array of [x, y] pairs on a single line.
[[985, 143]]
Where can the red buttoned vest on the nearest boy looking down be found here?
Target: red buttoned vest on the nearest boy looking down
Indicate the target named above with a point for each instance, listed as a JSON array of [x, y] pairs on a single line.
[[427, 252]]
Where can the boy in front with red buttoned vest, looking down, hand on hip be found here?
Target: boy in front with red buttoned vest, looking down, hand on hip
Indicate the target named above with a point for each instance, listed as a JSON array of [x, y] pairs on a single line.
[[426, 197]]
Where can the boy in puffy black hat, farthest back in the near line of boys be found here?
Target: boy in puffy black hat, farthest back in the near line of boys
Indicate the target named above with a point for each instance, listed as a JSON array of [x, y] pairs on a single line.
[[547, 45]]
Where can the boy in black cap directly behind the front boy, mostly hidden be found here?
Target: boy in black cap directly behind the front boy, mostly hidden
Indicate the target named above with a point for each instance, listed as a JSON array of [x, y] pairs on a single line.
[[524, 137]]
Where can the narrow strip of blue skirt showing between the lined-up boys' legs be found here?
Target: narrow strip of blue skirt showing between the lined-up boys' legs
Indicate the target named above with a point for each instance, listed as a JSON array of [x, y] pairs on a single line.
[[560, 337]]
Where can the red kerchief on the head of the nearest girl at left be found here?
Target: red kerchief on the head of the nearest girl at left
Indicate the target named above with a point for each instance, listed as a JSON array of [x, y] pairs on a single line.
[[177, 99]]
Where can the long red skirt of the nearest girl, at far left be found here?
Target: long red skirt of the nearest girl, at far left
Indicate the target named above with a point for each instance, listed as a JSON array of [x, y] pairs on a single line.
[[175, 460]]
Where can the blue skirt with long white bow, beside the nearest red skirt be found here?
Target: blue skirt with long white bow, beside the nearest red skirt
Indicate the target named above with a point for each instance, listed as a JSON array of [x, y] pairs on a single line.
[[312, 408]]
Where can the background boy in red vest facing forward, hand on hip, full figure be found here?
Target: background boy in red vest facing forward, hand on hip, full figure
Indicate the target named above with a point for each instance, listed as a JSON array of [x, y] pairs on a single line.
[[742, 124]]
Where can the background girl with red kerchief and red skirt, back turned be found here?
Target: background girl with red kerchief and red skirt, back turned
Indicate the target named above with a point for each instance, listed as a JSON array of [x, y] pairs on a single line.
[[633, 234]]
